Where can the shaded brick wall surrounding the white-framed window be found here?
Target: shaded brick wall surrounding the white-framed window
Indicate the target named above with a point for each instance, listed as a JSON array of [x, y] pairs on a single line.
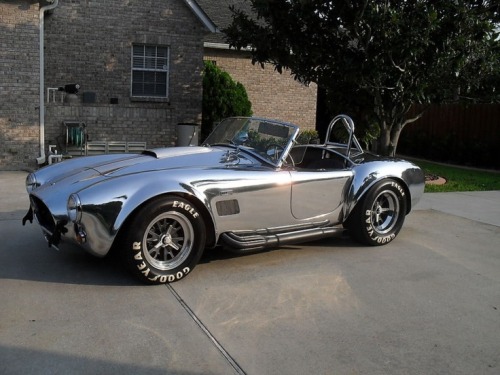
[[89, 43]]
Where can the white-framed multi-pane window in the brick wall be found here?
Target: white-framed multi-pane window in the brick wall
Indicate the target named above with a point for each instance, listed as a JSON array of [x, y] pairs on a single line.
[[149, 65]]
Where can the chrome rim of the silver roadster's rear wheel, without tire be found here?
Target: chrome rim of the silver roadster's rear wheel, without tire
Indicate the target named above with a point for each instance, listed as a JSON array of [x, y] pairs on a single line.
[[385, 212]]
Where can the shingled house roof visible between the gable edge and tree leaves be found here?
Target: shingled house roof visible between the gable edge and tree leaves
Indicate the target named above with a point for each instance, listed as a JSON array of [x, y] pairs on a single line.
[[219, 14]]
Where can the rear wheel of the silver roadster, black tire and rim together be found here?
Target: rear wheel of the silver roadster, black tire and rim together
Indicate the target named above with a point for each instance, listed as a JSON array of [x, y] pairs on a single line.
[[379, 216]]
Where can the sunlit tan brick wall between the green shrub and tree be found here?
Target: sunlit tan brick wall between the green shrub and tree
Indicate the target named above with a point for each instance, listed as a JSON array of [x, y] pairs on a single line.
[[272, 94]]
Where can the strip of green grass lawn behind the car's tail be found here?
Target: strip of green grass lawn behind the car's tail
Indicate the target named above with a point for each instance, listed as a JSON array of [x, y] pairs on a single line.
[[459, 178]]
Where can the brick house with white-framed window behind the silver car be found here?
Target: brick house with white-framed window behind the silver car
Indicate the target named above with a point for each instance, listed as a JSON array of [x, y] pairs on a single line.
[[138, 64]]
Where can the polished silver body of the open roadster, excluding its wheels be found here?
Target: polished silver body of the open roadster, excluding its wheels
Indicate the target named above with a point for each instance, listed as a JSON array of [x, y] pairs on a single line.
[[244, 196]]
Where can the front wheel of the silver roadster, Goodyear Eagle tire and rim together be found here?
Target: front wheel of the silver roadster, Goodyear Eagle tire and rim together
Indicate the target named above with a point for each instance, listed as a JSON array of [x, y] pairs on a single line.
[[164, 241]]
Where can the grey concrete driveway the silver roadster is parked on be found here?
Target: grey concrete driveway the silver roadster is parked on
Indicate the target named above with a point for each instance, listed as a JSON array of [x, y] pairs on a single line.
[[428, 303]]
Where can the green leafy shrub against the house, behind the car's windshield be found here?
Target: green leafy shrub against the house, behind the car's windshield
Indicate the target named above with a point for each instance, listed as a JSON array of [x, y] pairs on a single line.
[[222, 97]]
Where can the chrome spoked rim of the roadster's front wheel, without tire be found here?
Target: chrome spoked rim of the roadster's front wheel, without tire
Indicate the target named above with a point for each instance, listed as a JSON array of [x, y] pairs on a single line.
[[168, 240]]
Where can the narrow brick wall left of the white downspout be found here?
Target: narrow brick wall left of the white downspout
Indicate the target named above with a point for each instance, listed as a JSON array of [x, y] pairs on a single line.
[[19, 77]]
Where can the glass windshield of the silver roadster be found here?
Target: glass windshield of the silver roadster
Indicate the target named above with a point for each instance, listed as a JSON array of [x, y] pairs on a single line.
[[269, 140]]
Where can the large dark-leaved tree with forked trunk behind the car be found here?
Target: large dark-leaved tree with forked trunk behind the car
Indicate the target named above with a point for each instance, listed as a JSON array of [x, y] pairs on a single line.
[[374, 58]]
